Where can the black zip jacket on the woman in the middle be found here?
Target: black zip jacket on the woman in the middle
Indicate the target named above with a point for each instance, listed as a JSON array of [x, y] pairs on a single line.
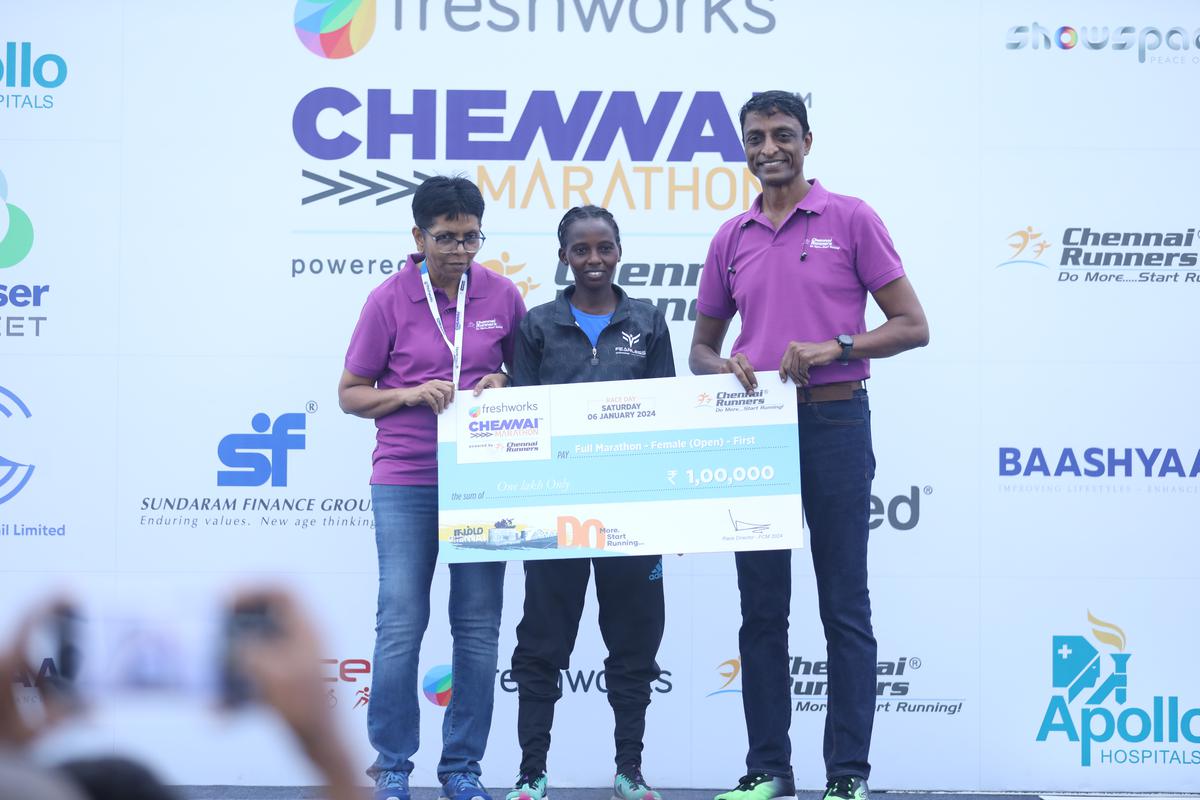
[[553, 350]]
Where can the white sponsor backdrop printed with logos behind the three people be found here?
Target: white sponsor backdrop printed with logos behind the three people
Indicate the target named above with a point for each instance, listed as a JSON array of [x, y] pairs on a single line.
[[166, 178]]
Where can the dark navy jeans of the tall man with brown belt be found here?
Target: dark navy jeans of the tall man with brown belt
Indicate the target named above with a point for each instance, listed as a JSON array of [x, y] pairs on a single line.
[[837, 468]]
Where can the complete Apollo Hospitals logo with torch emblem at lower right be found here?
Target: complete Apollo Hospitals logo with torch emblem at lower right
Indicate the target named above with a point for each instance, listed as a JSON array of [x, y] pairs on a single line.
[[1093, 707]]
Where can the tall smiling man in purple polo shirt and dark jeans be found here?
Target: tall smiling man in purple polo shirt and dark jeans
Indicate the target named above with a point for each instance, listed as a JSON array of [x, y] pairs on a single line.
[[797, 267]]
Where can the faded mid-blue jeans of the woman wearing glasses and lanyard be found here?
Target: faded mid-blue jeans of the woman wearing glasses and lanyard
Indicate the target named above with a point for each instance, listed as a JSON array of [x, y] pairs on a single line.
[[407, 539]]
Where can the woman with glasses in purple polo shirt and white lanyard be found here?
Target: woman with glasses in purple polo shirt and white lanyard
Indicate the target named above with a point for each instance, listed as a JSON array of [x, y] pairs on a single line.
[[443, 322]]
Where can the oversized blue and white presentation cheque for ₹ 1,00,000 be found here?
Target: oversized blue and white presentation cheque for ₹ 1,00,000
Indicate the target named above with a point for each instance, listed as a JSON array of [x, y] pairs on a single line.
[[619, 468]]
